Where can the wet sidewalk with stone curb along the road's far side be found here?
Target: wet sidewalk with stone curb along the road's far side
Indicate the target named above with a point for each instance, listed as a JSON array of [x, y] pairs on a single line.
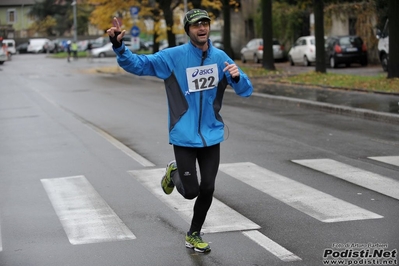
[[375, 106]]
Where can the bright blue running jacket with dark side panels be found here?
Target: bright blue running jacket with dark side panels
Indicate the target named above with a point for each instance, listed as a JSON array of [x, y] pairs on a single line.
[[195, 84]]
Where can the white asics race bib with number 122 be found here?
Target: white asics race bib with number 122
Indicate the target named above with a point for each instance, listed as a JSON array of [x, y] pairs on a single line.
[[202, 78]]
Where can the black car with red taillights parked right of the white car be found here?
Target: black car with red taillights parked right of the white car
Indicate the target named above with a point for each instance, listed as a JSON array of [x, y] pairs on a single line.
[[345, 50]]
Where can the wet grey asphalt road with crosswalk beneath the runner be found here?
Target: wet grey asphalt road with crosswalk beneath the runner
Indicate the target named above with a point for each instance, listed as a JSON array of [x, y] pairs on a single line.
[[82, 154]]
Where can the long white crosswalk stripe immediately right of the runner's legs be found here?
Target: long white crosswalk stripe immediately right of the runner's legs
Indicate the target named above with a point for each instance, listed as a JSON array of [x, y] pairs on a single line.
[[313, 202]]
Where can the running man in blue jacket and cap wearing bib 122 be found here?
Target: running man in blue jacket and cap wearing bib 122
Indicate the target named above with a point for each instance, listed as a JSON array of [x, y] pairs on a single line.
[[196, 75]]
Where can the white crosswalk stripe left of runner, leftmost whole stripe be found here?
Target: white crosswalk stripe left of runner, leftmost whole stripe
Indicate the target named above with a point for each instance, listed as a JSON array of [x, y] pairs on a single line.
[[85, 216]]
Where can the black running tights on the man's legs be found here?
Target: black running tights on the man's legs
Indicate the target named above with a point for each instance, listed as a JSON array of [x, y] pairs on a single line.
[[186, 179]]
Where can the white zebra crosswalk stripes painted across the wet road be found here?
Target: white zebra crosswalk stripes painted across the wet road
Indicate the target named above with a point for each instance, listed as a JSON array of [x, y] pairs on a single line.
[[87, 218]]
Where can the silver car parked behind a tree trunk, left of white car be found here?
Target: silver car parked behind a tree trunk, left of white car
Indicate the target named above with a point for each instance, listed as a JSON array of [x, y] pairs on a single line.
[[253, 51]]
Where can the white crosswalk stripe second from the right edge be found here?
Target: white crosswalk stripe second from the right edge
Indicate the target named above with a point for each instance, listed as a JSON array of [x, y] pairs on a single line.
[[372, 181]]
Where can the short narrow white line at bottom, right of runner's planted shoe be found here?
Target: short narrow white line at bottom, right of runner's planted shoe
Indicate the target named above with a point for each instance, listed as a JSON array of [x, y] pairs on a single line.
[[271, 246]]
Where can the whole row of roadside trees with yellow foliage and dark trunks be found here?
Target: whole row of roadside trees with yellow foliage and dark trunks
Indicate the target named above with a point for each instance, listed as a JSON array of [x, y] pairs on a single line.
[[55, 18]]
